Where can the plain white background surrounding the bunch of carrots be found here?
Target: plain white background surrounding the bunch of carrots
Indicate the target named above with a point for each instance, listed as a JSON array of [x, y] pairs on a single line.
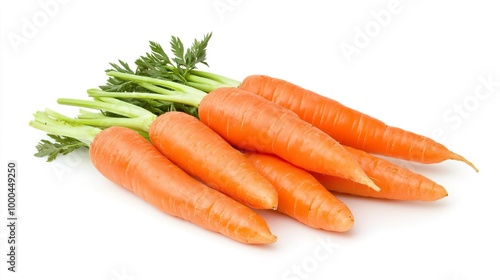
[[418, 69]]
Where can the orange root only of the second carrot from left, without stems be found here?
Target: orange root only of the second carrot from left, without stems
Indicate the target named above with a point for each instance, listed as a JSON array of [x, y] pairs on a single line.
[[203, 154]]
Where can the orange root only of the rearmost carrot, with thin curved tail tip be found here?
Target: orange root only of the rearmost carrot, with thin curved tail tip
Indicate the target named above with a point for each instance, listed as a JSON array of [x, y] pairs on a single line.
[[348, 126]]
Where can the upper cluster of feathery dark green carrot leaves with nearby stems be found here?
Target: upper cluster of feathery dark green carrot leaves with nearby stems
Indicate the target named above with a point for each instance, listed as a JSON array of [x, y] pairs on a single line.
[[157, 72]]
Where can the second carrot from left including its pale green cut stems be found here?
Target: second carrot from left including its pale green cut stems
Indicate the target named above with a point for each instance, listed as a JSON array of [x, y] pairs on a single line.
[[191, 145]]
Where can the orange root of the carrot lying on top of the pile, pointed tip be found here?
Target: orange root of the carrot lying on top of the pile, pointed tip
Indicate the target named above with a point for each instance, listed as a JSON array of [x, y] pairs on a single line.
[[253, 123]]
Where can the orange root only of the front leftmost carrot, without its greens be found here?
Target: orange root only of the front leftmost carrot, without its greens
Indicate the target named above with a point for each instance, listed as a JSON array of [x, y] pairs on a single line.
[[130, 161]]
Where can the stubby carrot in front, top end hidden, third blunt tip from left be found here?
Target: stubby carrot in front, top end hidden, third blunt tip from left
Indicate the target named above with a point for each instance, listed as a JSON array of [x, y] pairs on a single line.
[[301, 196]]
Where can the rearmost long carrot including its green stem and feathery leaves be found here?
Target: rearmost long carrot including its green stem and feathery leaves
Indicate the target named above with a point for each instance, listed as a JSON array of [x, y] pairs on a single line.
[[346, 125]]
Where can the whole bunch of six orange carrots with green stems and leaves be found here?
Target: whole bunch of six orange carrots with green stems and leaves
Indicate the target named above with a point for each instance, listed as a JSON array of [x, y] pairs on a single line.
[[211, 150]]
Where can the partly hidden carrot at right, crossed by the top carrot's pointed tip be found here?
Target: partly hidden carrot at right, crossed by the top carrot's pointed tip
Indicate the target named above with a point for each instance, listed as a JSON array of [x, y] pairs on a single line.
[[395, 182]]
